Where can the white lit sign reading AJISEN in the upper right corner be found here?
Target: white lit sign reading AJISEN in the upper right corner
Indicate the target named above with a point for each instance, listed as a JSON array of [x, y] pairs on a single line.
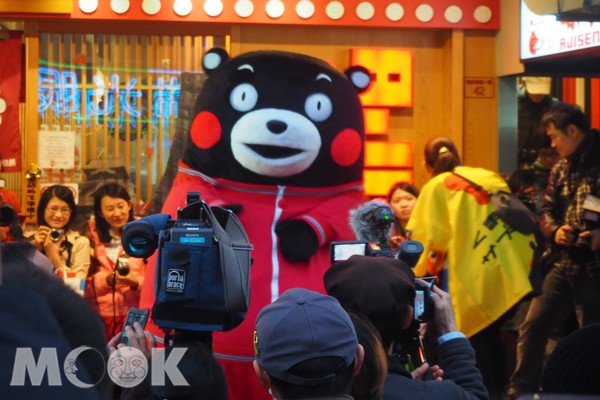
[[543, 35]]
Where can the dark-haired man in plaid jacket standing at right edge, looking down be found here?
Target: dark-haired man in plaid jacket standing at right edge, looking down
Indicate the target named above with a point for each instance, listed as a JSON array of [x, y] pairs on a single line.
[[574, 279]]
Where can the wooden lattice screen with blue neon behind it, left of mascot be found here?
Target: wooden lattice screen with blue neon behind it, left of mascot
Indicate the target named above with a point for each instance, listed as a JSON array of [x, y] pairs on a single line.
[[119, 94]]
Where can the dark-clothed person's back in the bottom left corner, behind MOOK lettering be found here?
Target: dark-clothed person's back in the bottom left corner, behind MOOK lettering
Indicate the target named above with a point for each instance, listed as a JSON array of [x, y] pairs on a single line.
[[45, 331]]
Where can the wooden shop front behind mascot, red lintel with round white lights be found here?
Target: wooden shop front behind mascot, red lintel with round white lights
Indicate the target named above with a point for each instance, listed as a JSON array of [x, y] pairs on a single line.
[[103, 79]]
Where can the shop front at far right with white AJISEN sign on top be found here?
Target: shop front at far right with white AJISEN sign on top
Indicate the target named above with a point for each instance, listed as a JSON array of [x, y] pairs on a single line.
[[562, 44]]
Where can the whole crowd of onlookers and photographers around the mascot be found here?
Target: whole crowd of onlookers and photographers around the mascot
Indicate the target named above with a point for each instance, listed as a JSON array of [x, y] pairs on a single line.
[[359, 340]]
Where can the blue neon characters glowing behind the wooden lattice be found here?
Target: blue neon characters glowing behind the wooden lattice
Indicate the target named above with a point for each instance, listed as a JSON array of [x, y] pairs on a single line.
[[112, 101]]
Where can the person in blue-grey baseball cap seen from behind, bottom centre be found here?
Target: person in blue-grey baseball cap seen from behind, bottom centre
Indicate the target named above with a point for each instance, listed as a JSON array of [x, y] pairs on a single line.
[[306, 347]]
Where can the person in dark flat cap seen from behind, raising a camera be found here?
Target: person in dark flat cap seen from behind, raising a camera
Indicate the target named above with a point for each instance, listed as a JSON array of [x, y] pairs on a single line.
[[382, 289]]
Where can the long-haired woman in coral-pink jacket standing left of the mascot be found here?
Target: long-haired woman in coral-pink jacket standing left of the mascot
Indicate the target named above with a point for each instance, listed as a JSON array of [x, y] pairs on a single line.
[[117, 279]]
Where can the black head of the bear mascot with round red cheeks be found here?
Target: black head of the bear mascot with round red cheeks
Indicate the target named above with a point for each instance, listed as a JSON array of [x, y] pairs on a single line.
[[270, 117]]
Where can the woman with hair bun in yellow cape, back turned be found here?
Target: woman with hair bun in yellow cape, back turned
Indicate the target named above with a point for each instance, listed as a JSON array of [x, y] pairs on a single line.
[[487, 262]]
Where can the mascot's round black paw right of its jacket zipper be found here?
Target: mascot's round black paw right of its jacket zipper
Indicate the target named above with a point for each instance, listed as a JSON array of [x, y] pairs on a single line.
[[297, 240]]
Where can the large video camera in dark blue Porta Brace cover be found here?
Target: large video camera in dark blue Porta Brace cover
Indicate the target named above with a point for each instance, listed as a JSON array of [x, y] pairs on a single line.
[[202, 278]]
